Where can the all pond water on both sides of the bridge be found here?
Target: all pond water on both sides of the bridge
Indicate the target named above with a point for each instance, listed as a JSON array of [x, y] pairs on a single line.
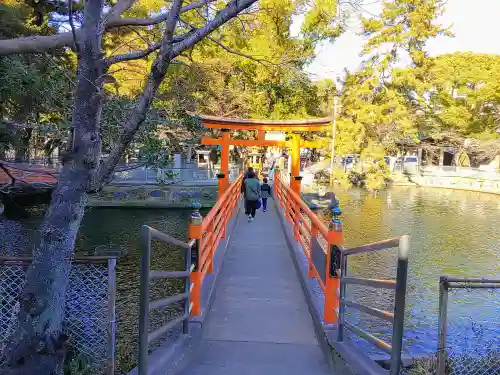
[[453, 233]]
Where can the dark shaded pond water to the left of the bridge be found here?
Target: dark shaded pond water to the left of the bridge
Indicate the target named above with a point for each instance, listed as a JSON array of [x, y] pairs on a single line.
[[119, 229]]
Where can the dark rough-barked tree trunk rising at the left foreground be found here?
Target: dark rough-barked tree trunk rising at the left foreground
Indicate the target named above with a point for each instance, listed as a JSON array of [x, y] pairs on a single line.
[[38, 344]]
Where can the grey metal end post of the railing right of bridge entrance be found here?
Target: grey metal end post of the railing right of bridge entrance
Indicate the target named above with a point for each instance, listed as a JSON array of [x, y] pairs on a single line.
[[399, 308]]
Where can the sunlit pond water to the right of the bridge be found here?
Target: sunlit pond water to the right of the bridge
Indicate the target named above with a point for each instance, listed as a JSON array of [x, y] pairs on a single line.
[[453, 233]]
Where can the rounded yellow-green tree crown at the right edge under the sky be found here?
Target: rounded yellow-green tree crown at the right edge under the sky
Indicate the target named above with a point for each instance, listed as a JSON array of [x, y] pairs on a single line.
[[461, 91]]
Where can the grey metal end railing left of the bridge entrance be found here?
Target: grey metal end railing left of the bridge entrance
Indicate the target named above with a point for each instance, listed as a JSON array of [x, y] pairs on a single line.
[[149, 234]]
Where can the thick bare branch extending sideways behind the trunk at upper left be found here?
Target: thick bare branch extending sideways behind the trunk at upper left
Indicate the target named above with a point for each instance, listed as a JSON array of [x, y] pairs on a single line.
[[38, 44]]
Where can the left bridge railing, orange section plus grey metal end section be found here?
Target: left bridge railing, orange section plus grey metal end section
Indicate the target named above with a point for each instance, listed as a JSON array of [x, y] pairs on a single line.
[[205, 235]]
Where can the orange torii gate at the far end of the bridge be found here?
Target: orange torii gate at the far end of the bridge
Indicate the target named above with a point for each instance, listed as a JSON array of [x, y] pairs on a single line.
[[261, 126]]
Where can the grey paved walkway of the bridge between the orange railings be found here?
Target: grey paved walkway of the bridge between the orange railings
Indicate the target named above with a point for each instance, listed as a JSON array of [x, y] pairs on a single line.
[[259, 323]]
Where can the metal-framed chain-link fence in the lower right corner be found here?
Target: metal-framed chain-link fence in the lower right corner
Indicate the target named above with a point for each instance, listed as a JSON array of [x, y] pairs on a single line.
[[467, 346]]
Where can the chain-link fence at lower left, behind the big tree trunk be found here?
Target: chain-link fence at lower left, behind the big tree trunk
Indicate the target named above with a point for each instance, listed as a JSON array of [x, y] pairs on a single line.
[[90, 308]]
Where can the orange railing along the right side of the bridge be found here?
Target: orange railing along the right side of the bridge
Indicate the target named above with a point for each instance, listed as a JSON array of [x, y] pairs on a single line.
[[320, 244]]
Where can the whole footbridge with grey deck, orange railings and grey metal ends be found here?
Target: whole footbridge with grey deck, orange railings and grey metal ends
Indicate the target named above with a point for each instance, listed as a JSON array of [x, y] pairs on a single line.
[[266, 297]]
